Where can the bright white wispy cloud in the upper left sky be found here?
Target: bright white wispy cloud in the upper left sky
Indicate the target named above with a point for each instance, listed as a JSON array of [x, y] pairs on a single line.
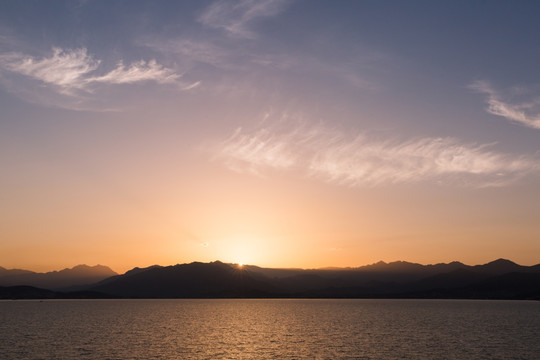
[[70, 71]]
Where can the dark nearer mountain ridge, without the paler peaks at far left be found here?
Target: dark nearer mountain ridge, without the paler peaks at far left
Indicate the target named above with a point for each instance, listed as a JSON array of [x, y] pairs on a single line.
[[396, 279]]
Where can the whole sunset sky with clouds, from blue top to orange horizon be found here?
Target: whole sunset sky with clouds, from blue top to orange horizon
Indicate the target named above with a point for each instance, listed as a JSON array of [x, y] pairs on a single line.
[[281, 133]]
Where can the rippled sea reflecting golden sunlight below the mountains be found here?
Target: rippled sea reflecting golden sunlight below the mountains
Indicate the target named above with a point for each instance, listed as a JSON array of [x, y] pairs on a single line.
[[269, 329]]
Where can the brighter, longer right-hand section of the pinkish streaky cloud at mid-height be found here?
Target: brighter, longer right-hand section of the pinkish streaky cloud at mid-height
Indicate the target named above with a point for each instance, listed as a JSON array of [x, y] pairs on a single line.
[[373, 162]]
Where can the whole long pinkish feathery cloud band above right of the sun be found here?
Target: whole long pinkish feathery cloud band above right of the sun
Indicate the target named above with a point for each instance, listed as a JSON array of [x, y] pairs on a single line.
[[358, 161]]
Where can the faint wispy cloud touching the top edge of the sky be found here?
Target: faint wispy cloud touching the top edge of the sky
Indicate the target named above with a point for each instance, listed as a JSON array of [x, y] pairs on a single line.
[[235, 17]]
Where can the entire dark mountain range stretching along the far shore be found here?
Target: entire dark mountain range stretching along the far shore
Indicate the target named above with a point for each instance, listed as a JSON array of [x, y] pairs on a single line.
[[499, 279]]
